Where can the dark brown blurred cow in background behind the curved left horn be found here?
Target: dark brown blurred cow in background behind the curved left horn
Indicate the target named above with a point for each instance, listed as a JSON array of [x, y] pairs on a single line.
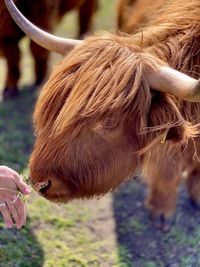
[[44, 13]]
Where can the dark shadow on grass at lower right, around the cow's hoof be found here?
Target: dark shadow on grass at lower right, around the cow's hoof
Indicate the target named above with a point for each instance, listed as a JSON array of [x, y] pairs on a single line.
[[140, 244]]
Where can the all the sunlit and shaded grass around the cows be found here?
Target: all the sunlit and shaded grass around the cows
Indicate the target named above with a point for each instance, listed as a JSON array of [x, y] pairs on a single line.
[[111, 232]]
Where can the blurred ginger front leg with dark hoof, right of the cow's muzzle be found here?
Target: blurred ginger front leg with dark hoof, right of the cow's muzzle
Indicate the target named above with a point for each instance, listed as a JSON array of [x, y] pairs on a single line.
[[162, 196]]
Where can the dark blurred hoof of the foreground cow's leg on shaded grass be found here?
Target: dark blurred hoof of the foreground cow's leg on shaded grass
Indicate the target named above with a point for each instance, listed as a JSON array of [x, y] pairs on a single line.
[[161, 222]]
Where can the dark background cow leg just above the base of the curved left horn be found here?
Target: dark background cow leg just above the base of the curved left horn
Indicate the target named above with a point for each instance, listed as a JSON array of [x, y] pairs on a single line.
[[86, 12]]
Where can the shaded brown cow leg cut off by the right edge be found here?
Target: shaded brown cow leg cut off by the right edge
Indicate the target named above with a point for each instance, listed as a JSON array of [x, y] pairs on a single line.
[[193, 186]]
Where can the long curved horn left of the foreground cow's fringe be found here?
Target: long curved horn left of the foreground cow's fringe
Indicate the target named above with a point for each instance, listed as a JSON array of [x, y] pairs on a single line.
[[42, 38]]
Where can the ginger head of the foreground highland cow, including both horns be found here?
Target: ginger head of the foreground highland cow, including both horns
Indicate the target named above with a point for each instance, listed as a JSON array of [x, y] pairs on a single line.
[[97, 113]]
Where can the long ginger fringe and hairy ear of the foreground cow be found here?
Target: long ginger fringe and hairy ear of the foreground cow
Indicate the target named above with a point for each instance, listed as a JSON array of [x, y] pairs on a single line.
[[108, 81]]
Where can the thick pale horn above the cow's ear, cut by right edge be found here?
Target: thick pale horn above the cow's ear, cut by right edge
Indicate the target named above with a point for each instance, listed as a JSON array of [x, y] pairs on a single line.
[[175, 83]]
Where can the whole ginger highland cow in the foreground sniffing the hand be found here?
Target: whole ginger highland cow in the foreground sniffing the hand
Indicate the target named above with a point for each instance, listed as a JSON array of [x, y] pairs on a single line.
[[118, 102]]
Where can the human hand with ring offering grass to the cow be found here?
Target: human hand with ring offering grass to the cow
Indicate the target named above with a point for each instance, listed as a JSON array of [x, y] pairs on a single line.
[[11, 205]]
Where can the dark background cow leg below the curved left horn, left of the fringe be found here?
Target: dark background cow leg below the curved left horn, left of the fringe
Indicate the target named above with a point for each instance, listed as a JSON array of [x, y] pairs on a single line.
[[41, 62]]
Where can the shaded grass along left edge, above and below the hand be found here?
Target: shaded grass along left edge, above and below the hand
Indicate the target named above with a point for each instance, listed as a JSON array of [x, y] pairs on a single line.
[[18, 247]]
